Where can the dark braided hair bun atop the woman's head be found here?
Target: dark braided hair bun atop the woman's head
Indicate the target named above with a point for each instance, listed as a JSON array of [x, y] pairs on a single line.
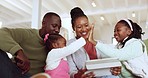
[[75, 12]]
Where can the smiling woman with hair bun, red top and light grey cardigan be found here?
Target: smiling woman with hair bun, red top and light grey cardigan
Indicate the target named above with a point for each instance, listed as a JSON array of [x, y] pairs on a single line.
[[80, 25]]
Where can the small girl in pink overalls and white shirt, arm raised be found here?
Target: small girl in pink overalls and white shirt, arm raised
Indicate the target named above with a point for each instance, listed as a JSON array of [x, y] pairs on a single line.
[[56, 64]]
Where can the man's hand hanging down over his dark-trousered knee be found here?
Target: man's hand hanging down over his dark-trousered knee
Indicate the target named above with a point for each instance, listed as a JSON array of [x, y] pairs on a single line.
[[22, 61]]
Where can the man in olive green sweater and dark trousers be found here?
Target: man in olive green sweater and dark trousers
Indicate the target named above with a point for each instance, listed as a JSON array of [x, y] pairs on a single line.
[[27, 46]]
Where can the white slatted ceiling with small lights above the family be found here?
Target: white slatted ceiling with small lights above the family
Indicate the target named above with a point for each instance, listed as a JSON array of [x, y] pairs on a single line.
[[19, 12]]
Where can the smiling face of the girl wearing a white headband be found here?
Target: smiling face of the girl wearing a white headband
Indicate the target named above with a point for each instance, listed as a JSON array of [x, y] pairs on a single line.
[[121, 32]]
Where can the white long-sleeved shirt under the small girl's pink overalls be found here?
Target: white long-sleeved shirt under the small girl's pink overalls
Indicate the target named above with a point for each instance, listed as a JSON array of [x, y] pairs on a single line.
[[55, 55]]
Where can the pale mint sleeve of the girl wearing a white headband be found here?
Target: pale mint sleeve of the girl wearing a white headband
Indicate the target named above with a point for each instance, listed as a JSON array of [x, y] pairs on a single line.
[[129, 51]]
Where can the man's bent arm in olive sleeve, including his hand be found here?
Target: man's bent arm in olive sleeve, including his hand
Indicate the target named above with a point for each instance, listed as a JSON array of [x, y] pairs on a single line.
[[11, 38]]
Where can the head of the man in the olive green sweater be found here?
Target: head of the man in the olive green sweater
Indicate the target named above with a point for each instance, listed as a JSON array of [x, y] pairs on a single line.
[[51, 24]]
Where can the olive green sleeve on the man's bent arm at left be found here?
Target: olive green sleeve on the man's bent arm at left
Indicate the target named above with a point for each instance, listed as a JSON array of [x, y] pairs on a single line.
[[10, 39]]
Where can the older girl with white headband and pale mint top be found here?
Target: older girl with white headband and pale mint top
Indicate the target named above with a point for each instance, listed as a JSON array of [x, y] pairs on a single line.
[[129, 47]]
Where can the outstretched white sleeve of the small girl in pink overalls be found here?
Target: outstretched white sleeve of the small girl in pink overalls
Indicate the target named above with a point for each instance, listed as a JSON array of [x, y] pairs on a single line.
[[60, 53]]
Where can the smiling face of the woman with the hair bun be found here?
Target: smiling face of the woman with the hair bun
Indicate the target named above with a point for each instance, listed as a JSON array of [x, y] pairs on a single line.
[[81, 27]]
